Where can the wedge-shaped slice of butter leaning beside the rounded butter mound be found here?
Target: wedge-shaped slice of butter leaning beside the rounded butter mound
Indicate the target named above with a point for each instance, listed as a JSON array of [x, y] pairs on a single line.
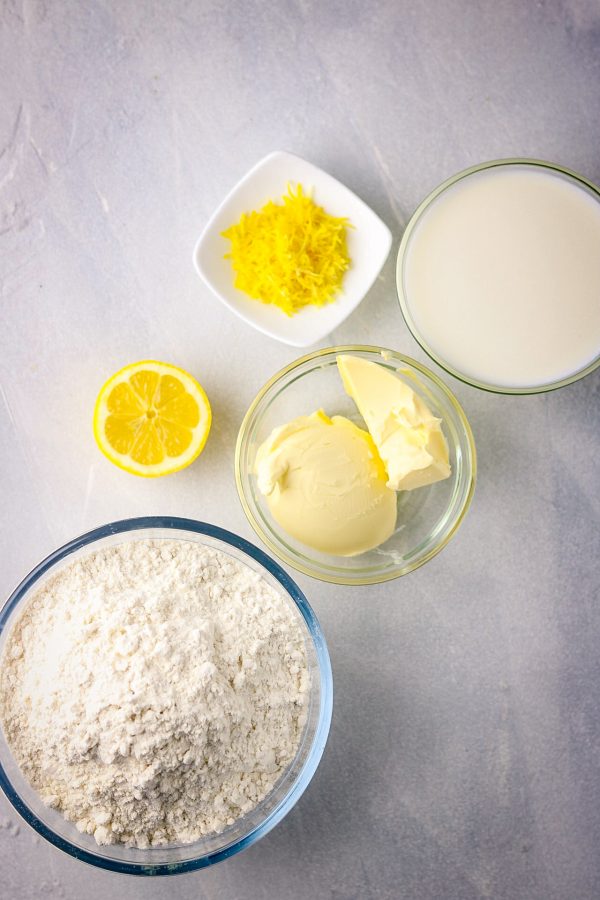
[[408, 437]]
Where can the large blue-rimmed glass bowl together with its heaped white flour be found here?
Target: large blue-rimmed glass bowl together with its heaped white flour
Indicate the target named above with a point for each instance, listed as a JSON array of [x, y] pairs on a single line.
[[165, 696]]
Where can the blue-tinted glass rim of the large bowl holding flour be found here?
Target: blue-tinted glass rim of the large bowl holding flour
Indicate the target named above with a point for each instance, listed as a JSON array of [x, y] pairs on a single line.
[[301, 782]]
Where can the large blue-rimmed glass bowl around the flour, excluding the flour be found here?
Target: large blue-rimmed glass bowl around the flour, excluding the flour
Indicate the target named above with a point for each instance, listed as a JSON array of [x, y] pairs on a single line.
[[175, 858]]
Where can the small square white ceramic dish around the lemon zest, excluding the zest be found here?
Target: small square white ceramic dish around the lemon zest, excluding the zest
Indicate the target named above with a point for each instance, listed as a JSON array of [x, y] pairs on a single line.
[[369, 243]]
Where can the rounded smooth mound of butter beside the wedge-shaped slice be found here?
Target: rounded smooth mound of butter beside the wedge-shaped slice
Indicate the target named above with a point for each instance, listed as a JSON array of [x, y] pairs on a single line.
[[325, 485]]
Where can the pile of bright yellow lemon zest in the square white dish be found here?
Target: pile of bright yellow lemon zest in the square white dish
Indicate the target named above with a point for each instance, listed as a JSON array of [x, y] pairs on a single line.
[[291, 255]]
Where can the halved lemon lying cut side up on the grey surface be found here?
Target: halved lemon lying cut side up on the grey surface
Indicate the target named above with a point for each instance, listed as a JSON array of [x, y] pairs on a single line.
[[151, 418]]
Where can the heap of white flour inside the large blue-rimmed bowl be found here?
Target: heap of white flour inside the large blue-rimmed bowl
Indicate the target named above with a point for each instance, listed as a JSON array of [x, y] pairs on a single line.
[[154, 691]]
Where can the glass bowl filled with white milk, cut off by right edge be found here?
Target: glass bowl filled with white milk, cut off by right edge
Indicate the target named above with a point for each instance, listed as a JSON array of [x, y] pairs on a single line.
[[498, 276]]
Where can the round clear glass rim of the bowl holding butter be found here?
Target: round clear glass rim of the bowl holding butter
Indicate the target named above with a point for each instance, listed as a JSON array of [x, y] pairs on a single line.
[[335, 351]]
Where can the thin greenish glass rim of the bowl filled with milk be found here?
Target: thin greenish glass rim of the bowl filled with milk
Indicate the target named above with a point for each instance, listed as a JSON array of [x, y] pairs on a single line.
[[400, 266]]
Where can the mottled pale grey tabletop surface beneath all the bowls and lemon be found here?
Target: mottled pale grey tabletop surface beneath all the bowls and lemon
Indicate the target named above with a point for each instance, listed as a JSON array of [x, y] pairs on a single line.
[[464, 756]]
